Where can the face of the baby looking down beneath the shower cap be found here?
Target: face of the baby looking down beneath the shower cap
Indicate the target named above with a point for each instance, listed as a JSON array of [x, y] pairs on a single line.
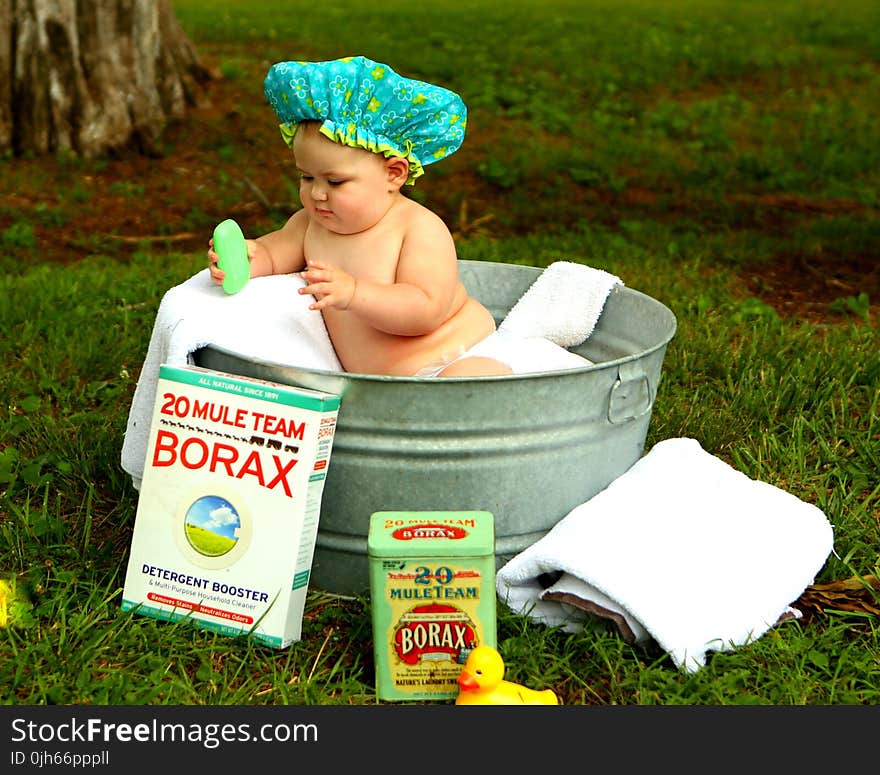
[[346, 190]]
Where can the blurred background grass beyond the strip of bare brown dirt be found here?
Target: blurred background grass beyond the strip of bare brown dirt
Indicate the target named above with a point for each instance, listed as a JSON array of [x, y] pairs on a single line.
[[675, 92]]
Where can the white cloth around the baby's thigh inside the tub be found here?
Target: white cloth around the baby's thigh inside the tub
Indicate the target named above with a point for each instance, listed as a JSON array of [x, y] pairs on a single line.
[[524, 355]]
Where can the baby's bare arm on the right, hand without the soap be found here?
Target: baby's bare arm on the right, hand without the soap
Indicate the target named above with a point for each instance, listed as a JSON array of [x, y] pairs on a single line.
[[420, 298]]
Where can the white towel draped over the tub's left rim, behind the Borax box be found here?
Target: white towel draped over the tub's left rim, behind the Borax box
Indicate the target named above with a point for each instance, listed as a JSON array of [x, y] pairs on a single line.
[[267, 320]]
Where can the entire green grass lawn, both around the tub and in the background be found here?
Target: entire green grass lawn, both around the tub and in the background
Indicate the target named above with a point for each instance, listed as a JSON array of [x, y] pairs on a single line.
[[698, 102]]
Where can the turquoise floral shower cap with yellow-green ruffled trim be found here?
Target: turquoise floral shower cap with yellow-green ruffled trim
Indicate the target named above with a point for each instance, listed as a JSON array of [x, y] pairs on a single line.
[[365, 104]]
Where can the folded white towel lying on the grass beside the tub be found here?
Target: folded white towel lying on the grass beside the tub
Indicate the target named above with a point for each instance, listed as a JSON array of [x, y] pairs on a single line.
[[682, 548]]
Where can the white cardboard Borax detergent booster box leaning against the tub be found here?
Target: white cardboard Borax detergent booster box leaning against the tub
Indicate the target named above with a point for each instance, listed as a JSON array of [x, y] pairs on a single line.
[[228, 508]]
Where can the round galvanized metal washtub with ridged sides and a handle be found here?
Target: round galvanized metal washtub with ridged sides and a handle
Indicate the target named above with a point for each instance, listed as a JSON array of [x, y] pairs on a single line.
[[528, 448]]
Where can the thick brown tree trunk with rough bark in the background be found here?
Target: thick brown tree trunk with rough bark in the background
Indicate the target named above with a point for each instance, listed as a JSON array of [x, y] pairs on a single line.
[[93, 76]]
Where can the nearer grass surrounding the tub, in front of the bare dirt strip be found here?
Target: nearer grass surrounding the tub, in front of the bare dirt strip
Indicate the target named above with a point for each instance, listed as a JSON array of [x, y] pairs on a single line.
[[791, 404]]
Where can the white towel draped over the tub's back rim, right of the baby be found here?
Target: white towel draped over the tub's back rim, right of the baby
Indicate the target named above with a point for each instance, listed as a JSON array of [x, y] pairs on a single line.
[[562, 305]]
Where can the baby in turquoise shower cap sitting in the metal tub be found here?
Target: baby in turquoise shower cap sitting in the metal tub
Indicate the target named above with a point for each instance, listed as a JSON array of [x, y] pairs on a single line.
[[382, 268]]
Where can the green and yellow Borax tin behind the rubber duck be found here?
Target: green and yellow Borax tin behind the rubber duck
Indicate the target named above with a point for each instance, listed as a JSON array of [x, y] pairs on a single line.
[[432, 588]]
